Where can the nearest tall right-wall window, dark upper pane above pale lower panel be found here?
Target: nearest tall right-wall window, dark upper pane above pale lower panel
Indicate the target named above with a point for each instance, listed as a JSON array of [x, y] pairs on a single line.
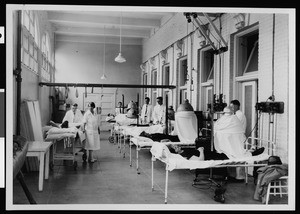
[[245, 72]]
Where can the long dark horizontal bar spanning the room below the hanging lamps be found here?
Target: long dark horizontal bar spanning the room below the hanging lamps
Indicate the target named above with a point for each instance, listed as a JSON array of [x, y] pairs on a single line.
[[95, 85]]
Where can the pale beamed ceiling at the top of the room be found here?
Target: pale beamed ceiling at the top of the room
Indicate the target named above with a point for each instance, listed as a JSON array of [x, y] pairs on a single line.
[[100, 26]]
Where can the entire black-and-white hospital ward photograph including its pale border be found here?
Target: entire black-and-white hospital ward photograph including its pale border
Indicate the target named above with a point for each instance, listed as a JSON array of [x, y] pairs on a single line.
[[148, 106]]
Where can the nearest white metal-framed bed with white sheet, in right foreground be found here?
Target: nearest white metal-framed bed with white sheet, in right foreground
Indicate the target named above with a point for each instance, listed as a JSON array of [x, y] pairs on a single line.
[[175, 161]]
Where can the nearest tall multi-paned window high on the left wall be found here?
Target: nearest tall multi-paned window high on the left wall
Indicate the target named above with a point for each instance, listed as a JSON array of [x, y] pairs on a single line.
[[30, 40]]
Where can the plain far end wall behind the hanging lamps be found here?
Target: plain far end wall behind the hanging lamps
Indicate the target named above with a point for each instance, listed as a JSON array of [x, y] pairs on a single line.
[[83, 63]]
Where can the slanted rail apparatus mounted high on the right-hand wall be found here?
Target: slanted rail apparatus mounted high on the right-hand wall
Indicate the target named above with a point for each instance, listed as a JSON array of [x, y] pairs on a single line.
[[201, 27]]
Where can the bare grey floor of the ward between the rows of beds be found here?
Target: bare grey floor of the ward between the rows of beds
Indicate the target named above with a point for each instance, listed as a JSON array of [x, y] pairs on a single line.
[[112, 181]]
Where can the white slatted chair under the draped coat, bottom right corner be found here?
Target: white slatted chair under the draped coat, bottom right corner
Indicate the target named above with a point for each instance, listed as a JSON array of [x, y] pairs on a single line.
[[280, 184]]
